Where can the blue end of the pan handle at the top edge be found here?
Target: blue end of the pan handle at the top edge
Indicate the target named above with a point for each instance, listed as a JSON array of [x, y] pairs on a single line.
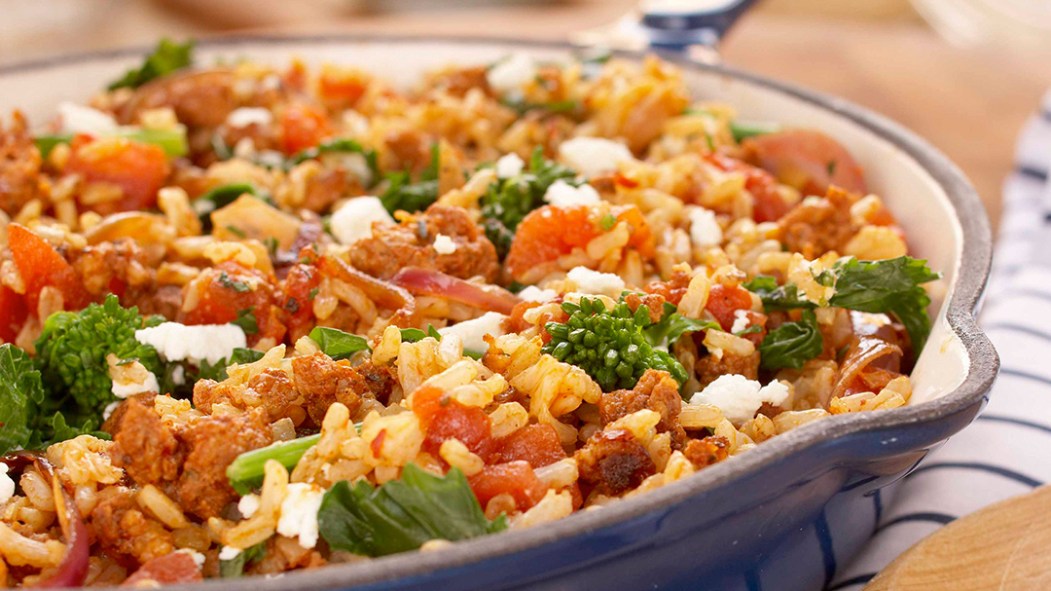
[[679, 25]]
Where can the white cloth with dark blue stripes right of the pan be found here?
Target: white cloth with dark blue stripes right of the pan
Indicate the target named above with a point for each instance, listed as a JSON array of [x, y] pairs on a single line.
[[1005, 453]]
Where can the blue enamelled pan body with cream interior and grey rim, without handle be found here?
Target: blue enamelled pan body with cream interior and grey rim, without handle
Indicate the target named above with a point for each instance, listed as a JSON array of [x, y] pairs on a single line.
[[781, 517]]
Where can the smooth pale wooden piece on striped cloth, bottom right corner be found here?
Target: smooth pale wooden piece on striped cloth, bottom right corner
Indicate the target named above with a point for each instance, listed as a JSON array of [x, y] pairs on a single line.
[[1006, 547]]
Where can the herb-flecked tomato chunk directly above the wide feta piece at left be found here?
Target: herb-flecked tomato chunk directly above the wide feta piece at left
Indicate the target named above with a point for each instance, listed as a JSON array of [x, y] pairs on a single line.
[[229, 292]]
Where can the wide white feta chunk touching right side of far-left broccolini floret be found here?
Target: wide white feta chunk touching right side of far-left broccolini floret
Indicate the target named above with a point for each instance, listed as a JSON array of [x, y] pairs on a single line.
[[207, 342]]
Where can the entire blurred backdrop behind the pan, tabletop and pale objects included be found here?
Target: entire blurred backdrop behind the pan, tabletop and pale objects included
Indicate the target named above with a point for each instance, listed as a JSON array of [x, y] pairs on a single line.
[[964, 74]]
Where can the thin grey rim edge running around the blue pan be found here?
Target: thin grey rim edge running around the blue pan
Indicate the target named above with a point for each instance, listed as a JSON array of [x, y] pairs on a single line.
[[968, 287]]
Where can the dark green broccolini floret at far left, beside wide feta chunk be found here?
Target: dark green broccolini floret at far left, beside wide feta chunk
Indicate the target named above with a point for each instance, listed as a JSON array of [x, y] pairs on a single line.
[[72, 355]]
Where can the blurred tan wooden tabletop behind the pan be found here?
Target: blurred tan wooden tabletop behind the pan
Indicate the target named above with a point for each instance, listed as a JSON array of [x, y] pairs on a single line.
[[968, 103]]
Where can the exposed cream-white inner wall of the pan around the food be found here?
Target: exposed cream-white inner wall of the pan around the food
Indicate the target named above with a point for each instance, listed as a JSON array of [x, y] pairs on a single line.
[[913, 194]]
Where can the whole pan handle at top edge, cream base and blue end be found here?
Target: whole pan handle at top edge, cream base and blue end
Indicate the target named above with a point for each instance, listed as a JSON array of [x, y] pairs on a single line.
[[694, 28]]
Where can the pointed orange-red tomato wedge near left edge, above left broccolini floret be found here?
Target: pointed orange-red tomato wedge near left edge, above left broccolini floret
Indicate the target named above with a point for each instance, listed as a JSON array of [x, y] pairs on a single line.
[[42, 267]]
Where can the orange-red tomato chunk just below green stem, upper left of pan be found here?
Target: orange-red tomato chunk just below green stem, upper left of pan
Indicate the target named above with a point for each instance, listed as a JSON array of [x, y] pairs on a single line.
[[139, 170]]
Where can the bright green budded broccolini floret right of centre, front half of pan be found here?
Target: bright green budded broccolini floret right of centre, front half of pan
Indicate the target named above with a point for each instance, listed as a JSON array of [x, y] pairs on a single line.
[[611, 345]]
